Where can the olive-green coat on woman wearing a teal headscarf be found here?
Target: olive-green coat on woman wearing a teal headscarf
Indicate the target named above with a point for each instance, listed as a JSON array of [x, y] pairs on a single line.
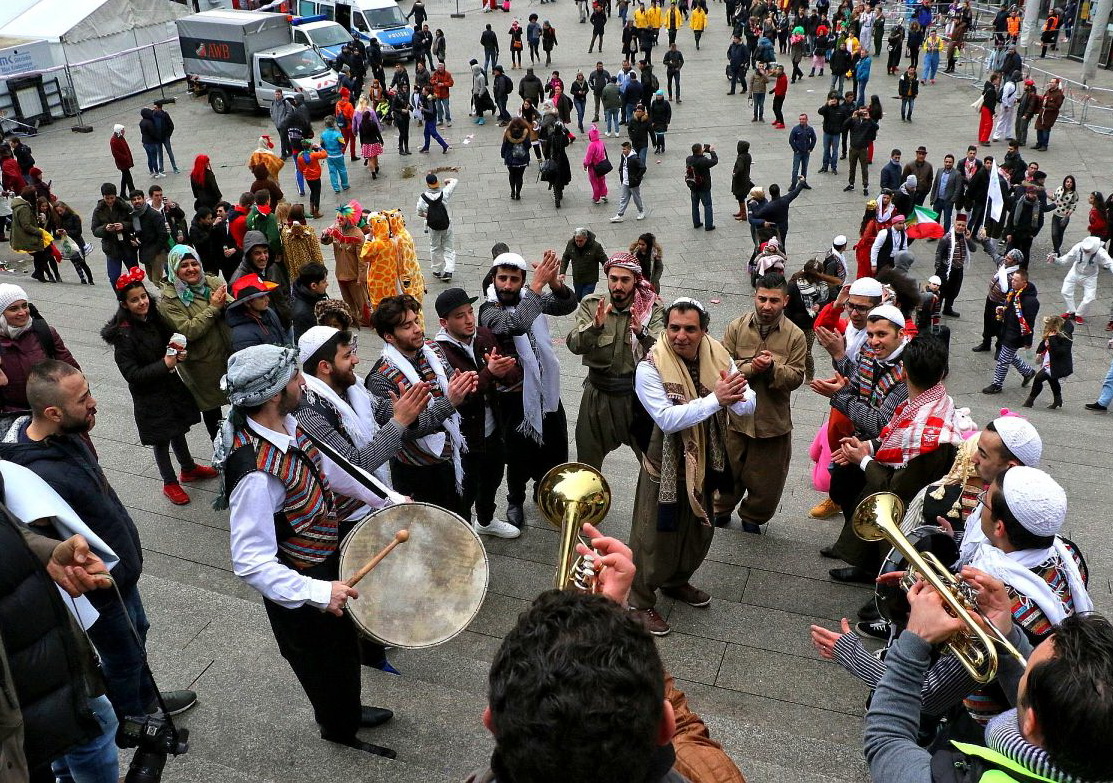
[[210, 343]]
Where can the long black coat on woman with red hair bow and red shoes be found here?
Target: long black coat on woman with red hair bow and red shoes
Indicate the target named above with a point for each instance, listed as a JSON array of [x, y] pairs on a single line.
[[162, 404]]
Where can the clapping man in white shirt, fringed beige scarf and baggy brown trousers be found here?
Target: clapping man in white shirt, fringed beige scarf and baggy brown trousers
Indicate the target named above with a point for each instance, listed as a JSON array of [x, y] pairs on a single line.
[[686, 383]]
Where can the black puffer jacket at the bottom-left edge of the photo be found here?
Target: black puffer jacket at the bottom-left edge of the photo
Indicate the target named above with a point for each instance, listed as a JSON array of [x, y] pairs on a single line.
[[48, 662]]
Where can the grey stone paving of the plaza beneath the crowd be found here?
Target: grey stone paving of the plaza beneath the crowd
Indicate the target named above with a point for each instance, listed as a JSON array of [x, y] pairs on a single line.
[[746, 661]]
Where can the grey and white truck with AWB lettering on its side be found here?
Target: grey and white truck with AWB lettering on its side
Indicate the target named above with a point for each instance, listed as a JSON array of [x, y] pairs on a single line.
[[243, 58]]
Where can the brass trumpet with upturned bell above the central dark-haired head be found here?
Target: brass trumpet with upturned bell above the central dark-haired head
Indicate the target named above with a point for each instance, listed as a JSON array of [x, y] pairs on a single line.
[[570, 495]]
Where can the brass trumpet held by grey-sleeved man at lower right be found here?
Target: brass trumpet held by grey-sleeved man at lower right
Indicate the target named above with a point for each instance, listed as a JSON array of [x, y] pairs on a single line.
[[878, 519]]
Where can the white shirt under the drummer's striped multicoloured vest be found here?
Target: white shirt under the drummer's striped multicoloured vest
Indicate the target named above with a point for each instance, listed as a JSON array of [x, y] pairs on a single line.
[[253, 506]]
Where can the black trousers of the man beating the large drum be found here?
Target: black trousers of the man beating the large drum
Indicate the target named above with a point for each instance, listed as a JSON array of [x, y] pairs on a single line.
[[324, 652]]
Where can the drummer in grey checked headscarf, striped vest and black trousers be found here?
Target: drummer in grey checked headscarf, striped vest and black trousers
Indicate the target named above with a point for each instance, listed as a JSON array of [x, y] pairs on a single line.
[[287, 502]]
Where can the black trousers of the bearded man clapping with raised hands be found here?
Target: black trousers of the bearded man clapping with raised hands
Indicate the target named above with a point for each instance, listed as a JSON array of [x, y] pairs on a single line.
[[527, 459]]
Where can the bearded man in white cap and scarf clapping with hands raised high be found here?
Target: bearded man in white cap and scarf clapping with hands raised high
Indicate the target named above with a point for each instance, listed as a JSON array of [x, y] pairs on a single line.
[[533, 414]]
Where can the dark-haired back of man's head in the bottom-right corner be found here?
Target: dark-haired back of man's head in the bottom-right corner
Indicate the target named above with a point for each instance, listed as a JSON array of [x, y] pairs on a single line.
[[1071, 695]]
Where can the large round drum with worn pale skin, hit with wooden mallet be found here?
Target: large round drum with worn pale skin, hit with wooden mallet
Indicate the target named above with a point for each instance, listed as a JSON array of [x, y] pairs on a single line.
[[429, 589]]
